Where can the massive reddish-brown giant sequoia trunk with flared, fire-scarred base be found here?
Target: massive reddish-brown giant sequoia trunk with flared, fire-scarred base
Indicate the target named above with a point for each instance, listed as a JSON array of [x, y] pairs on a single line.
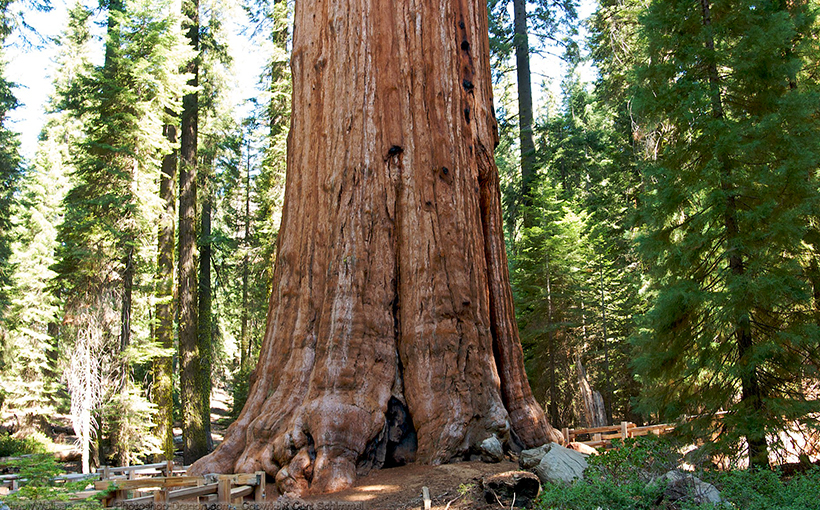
[[390, 333]]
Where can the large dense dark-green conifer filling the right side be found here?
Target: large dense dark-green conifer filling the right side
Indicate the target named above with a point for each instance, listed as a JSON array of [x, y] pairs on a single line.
[[729, 207]]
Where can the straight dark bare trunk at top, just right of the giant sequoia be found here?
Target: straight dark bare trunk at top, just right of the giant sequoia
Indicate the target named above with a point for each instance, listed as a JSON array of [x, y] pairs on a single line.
[[525, 109]]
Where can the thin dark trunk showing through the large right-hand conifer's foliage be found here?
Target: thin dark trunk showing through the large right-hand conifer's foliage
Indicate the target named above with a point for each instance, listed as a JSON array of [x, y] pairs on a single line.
[[751, 391]]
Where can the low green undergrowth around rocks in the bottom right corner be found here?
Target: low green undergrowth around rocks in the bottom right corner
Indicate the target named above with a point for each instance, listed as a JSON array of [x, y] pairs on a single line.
[[630, 477]]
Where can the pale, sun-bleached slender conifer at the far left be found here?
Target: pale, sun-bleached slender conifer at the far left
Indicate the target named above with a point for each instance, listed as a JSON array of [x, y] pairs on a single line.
[[31, 376]]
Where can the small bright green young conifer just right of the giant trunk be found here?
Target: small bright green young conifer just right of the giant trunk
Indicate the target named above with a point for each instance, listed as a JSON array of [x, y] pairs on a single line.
[[547, 276]]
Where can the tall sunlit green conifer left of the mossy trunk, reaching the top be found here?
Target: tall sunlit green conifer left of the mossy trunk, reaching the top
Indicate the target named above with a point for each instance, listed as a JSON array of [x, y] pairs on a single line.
[[109, 210]]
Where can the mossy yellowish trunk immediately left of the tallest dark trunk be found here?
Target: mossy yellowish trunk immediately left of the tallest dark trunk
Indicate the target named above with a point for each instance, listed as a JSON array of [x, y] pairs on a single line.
[[163, 367]]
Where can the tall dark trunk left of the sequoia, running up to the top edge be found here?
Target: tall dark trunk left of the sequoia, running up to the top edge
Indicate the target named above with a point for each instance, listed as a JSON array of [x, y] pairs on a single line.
[[194, 431]]
